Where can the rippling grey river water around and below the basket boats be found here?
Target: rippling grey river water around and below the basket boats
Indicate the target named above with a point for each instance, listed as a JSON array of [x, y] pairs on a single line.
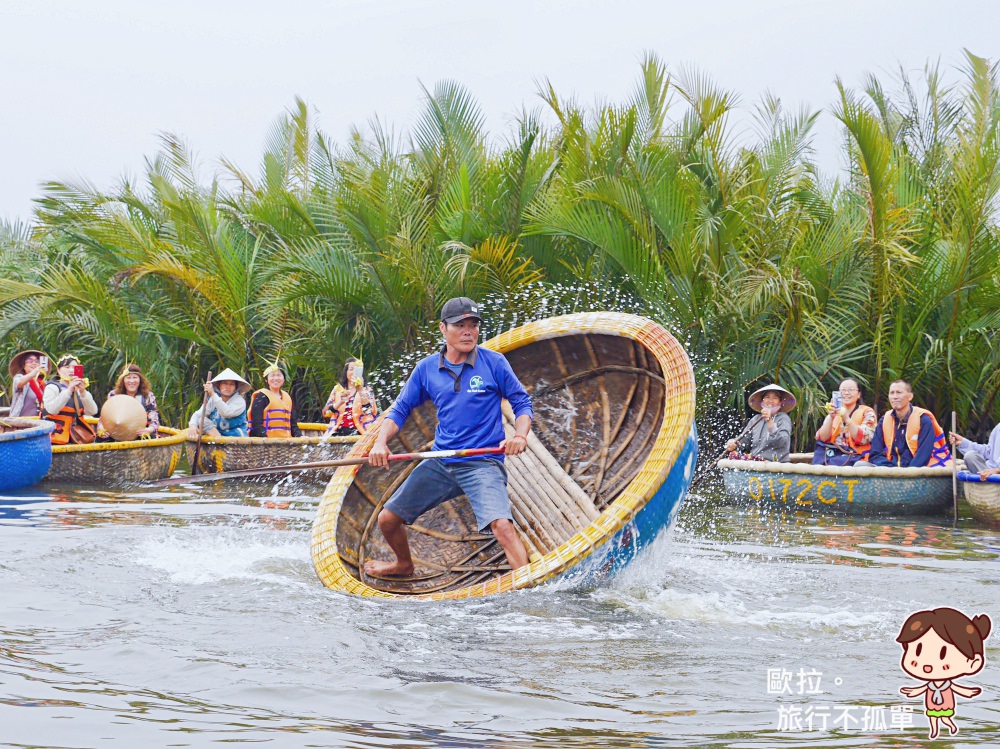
[[191, 617]]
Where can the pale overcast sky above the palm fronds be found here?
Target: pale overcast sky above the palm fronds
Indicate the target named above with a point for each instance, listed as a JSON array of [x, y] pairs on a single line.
[[88, 86]]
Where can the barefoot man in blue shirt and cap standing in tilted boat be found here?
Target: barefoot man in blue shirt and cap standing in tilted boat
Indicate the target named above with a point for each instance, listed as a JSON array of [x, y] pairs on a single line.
[[466, 383]]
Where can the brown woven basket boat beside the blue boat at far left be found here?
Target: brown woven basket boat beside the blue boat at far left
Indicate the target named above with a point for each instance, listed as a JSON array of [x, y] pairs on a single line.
[[117, 463]]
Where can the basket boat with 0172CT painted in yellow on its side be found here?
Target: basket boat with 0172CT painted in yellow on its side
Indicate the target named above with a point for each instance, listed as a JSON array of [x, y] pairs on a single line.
[[861, 489]]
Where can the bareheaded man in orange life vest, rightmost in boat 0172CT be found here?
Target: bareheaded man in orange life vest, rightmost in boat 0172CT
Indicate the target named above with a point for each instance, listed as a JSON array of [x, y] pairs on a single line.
[[909, 436]]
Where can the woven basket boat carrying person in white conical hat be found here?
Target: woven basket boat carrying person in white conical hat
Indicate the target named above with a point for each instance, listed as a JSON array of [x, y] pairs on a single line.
[[242, 453]]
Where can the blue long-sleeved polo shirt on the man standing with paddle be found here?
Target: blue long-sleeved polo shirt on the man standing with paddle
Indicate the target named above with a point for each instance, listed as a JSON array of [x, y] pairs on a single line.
[[468, 404]]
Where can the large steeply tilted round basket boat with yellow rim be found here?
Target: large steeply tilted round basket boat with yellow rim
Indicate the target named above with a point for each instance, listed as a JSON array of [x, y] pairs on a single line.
[[610, 457]]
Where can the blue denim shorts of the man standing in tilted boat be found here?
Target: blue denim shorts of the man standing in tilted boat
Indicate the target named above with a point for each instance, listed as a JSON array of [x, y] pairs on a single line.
[[433, 482]]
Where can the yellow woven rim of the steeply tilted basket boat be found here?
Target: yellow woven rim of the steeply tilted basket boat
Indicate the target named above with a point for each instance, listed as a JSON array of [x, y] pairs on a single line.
[[675, 429]]
